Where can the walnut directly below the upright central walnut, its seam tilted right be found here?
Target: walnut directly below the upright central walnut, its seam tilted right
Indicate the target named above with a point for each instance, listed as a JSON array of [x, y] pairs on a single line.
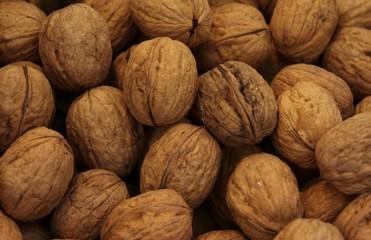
[[186, 159]]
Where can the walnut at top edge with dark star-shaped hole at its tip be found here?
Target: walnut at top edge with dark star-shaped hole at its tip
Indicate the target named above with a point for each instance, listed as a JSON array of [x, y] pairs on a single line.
[[186, 21]]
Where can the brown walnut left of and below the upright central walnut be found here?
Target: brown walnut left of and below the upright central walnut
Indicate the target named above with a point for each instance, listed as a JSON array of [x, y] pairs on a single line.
[[102, 131]]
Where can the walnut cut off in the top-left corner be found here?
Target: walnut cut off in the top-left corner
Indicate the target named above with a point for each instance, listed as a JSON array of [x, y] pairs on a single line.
[[20, 25]]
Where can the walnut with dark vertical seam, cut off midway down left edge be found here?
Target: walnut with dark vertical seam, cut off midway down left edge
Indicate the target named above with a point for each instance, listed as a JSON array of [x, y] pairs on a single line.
[[26, 99]]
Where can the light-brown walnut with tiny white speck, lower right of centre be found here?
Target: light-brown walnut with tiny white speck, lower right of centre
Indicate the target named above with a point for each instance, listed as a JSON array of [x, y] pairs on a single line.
[[263, 196]]
